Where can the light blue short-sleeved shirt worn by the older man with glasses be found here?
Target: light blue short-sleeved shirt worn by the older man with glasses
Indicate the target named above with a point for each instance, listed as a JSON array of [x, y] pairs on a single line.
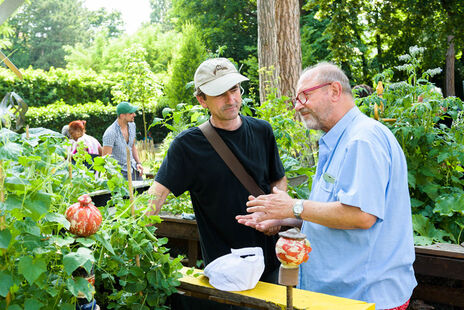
[[362, 165]]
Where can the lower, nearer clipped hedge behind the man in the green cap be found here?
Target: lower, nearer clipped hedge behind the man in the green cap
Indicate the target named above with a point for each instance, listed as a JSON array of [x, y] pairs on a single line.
[[97, 114]]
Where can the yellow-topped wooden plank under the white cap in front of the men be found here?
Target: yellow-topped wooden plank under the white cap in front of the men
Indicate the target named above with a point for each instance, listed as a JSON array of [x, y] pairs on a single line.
[[267, 295]]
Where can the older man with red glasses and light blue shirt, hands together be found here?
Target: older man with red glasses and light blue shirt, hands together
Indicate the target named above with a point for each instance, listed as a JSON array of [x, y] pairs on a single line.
[[358, 215]]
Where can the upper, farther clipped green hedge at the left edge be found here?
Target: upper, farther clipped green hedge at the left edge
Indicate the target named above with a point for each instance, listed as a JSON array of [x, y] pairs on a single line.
[[40, 88]]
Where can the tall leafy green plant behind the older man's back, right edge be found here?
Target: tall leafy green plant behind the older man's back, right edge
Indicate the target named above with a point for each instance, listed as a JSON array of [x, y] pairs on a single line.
[[433, 147]]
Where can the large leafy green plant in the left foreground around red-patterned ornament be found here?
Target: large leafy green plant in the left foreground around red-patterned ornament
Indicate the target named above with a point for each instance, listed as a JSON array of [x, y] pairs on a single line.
[[39, 256]]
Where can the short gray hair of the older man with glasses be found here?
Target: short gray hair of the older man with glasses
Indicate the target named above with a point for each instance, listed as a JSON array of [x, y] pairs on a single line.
[[326, 72]]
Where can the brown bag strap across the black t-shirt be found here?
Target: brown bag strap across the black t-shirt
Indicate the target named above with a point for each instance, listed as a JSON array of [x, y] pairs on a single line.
[[230, 159]]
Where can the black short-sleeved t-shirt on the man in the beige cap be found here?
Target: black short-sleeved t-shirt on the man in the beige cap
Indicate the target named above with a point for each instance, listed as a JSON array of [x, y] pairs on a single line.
[[217, 195]]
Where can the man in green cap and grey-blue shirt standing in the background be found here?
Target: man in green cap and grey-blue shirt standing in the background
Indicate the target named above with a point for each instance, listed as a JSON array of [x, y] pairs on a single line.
[[121, 134]]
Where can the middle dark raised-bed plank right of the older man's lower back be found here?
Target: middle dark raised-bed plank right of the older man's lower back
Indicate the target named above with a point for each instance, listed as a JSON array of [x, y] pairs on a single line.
[[436, 266]]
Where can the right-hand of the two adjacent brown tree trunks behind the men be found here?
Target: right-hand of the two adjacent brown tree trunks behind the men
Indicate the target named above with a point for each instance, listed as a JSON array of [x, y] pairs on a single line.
[[289, 44]]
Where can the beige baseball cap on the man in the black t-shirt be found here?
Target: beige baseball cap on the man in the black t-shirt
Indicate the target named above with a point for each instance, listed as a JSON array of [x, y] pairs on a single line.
[[215, 76]]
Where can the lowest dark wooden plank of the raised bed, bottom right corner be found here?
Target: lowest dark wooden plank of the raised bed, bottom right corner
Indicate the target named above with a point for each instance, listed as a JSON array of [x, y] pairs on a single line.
[[439, 294]]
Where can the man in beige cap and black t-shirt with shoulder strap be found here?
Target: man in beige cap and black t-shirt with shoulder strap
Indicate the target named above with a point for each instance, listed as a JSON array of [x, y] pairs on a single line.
[[192, 164]]
